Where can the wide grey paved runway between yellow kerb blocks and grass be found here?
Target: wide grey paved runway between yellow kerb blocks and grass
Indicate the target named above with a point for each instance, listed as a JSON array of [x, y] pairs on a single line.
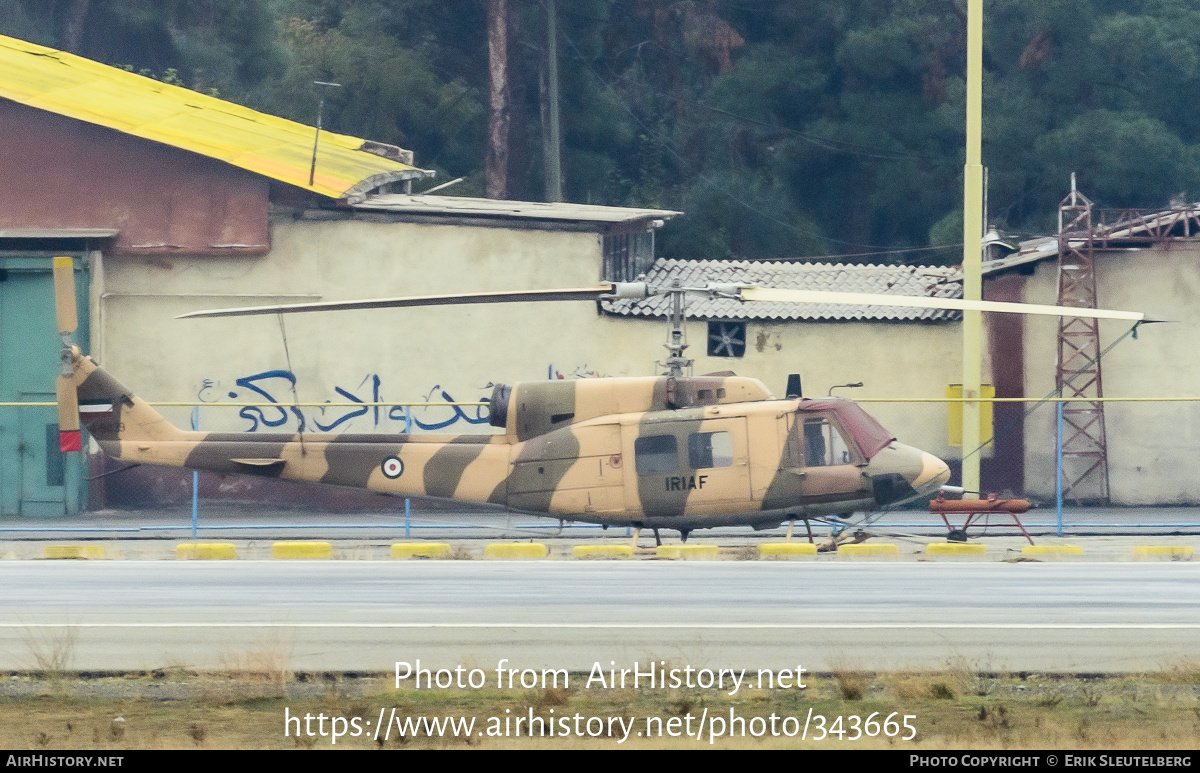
[[368, 615]]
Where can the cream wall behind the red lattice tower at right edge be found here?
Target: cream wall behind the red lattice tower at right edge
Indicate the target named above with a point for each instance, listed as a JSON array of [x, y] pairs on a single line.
[[1154, 447]]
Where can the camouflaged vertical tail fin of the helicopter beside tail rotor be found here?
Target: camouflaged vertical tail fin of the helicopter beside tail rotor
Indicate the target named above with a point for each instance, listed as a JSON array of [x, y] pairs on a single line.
[[112, 414]]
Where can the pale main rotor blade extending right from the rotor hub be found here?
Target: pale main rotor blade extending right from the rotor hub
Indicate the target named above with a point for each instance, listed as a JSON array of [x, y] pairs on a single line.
[[919, 302]]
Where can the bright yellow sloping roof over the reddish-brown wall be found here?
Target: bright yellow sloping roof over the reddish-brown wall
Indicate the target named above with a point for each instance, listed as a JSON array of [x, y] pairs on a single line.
[[58, 82]]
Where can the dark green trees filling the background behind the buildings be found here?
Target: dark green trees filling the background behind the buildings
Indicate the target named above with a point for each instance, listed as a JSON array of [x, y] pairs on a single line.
[[783, 128]]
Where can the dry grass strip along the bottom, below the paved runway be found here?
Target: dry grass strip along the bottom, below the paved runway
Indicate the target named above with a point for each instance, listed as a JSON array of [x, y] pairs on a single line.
[[141, 711]]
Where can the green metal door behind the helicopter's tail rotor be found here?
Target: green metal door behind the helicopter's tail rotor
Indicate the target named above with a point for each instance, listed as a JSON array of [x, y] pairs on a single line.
[[35, 478]]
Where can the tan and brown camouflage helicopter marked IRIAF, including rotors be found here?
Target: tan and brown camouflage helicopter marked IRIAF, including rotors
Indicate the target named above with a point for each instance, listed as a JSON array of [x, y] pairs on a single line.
[[665, 452]]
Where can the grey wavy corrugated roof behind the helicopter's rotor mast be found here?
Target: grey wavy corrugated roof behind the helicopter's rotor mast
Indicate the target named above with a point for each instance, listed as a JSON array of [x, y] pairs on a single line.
[[897, 280]]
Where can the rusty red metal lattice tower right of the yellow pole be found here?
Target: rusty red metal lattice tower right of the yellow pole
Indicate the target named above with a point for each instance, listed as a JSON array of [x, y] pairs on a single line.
[[1085, 458]]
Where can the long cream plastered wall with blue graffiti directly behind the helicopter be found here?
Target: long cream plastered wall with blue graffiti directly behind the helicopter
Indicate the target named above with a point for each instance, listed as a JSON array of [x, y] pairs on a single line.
[[451, 353]]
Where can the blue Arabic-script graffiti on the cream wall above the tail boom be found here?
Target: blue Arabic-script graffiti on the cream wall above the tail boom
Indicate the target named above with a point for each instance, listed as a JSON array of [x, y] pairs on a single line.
[[279, 387]]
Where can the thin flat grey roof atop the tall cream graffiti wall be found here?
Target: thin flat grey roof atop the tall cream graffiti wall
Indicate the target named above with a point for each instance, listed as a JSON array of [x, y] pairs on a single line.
[[466, 207]]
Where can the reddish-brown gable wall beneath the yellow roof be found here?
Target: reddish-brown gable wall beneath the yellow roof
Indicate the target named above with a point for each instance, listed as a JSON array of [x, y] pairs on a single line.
[[57, 172]]
